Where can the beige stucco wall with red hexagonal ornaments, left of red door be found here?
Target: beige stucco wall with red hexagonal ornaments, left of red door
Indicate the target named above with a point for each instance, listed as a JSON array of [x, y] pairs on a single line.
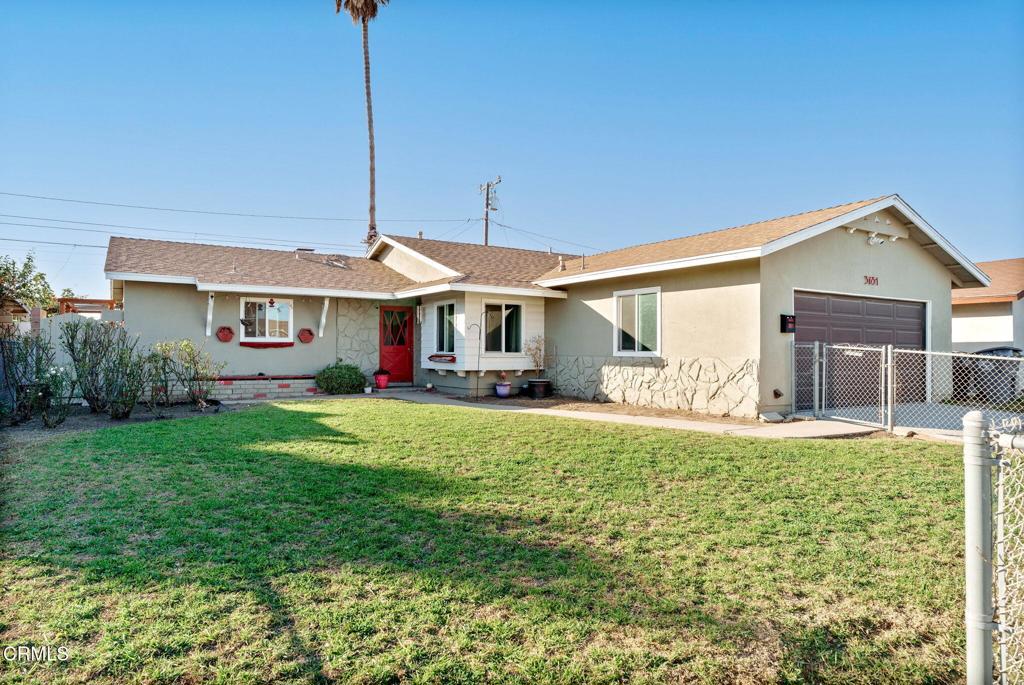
[[163, 312]]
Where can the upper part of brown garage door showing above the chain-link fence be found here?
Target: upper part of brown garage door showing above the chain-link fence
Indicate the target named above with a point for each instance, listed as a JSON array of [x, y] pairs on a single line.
[[866, 321]]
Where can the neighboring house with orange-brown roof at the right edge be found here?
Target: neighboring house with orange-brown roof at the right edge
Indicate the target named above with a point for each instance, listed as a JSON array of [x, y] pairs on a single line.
[[992, 317]]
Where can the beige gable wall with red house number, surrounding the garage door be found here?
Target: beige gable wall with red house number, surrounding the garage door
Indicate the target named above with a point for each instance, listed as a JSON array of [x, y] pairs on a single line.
[[837, 263]]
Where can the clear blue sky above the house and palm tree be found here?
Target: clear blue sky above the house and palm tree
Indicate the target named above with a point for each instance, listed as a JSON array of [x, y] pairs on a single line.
[[611, 123]]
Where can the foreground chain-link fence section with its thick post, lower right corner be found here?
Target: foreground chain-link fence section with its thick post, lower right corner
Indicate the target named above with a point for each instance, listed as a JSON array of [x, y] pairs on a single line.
[[994, 491]]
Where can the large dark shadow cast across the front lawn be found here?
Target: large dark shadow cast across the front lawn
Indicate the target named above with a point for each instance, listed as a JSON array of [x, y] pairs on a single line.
[[246, 499]]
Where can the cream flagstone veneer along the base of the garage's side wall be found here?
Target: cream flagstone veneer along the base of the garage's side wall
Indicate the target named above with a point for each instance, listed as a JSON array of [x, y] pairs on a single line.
[[708, 386]]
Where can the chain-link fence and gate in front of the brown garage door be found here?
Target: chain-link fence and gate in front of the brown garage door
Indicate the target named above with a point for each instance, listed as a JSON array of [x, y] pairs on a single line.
[[892, 389]]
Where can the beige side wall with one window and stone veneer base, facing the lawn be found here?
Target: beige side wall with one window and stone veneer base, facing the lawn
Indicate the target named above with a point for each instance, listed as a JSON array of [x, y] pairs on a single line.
[[709, 341]]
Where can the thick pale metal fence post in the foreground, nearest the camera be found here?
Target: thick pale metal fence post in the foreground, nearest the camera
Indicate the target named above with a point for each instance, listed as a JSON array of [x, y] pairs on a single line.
[[978, 549]]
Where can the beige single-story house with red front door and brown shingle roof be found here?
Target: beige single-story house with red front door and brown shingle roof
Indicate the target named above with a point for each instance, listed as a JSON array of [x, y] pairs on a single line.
[[692, 323]]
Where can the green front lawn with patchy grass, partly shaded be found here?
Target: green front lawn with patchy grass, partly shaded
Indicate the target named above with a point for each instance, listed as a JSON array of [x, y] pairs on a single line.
[[375, 541]]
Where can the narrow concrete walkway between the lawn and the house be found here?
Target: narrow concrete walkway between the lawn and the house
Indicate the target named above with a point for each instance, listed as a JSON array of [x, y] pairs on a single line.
[[795, 430]]
